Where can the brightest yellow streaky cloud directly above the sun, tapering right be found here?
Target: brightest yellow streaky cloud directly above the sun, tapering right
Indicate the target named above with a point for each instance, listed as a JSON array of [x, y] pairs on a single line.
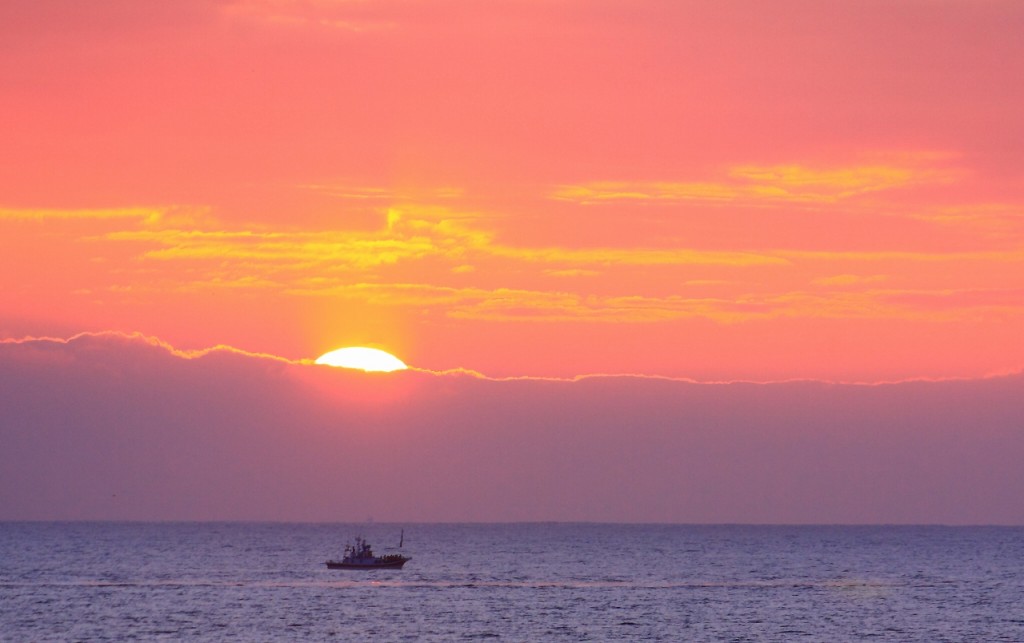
[[412, 234]]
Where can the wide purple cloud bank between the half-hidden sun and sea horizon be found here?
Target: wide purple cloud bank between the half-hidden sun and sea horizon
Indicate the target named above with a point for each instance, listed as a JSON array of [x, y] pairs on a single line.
[[109, 426]]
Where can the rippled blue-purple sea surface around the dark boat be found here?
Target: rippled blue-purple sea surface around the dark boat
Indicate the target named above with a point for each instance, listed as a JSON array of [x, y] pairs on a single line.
[[537, 582]]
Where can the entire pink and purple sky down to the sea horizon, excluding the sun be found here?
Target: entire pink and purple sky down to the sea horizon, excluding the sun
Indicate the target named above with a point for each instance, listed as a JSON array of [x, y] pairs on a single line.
[[771, 210]]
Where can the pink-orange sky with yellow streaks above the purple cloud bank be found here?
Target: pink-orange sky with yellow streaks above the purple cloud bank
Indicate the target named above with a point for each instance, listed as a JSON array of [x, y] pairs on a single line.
[[739, 190]]
